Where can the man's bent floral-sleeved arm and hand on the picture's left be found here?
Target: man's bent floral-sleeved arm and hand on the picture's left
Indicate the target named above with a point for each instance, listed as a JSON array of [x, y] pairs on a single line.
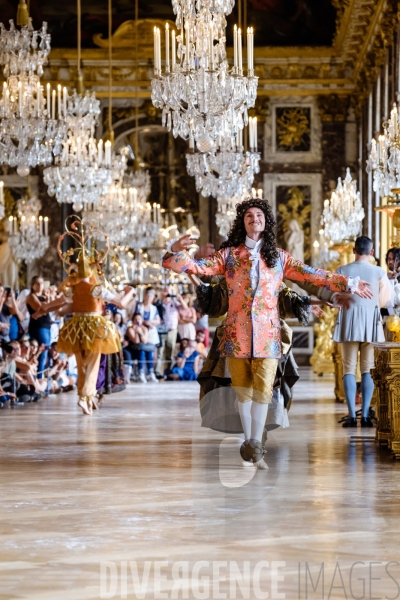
[[180, 261]]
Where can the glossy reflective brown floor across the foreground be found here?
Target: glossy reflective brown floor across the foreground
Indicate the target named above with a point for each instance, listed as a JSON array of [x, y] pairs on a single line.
[[140, 502]]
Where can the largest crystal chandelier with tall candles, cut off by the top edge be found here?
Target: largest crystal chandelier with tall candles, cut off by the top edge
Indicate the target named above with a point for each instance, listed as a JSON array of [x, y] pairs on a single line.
[[201, 97]]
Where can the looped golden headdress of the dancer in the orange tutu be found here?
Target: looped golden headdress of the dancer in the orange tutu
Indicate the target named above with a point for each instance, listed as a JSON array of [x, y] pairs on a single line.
[[89, 258]]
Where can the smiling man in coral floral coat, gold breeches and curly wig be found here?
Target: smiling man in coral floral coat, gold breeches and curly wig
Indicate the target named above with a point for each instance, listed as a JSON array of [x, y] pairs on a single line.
[[254, 269]]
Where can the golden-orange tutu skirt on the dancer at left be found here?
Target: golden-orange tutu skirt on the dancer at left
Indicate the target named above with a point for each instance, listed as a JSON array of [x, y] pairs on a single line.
[[91, 333]]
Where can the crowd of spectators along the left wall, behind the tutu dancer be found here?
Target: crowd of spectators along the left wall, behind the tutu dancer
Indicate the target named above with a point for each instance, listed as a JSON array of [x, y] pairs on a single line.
[[162, 337]]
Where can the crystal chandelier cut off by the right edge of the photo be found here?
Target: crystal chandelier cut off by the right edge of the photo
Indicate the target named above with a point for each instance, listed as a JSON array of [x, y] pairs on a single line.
[[384, 158]]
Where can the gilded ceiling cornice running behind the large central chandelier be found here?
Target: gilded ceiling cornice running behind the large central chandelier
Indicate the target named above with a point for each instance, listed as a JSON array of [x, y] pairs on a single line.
[[364, 31]]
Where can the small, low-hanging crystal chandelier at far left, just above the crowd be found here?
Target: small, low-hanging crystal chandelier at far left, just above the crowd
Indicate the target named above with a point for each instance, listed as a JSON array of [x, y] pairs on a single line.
[[30, 239]]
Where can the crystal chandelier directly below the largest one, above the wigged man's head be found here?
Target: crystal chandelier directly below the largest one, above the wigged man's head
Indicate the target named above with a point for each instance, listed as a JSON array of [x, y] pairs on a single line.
[[228, 170]]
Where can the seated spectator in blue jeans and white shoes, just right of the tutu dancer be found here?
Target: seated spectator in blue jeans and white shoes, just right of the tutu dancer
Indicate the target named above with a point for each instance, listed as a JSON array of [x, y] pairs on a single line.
[[139, 348]]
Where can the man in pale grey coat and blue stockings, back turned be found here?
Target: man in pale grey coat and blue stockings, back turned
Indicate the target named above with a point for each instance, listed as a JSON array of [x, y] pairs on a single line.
[[358, 325]]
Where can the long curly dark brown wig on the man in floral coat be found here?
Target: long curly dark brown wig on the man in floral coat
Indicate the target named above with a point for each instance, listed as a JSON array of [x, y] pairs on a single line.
[[237, 234]]
